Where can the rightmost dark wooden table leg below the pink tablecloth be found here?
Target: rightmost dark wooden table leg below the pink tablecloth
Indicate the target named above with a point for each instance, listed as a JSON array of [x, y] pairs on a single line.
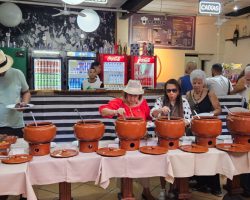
[[233, 189]]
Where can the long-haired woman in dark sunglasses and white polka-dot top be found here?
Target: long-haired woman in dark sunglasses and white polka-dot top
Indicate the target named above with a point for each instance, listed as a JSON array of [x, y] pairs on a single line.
[[172, 102]]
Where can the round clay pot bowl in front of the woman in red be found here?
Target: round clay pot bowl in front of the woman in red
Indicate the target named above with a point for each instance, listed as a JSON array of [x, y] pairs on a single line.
[[130, 128]]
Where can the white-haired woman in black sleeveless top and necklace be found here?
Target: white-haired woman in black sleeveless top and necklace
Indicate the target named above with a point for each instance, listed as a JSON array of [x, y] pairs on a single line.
[[203, 100]]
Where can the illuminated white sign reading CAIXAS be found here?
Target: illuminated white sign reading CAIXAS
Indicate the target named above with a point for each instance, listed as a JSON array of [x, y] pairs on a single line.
[[209, 7]]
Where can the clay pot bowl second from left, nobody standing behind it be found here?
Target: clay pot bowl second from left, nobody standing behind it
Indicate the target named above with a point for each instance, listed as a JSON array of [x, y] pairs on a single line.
[[89, 130]]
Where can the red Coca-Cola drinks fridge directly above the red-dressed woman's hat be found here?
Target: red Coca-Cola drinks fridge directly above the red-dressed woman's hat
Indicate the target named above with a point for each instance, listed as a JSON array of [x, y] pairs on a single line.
[[143, 68]]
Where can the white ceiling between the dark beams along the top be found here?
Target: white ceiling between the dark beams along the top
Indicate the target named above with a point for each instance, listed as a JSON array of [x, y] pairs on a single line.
[[169, 7]]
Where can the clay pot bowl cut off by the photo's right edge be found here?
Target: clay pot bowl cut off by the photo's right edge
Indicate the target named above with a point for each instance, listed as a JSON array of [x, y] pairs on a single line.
[[239, 123]]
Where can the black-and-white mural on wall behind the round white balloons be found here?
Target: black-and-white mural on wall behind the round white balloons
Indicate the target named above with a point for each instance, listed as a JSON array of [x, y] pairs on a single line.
[[40, 30]]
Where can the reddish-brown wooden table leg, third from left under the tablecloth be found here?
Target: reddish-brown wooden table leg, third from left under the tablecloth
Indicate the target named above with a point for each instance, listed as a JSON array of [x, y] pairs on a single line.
[[182, 185]]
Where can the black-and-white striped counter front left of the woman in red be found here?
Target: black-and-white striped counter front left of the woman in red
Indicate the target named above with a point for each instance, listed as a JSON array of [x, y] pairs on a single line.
[[60, 111]]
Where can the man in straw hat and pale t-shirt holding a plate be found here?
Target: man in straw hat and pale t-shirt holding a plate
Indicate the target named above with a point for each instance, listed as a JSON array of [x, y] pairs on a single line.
[[13, 89]]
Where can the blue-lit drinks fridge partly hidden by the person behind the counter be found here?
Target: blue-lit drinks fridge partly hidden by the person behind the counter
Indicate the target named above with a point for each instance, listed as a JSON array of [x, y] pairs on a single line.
[[78, 64]]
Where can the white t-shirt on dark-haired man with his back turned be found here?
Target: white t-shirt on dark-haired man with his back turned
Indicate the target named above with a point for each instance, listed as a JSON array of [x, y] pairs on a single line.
[[219, 84]]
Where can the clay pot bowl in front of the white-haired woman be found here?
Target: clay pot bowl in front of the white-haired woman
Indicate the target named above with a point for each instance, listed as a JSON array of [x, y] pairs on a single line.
[[206, 126]]
